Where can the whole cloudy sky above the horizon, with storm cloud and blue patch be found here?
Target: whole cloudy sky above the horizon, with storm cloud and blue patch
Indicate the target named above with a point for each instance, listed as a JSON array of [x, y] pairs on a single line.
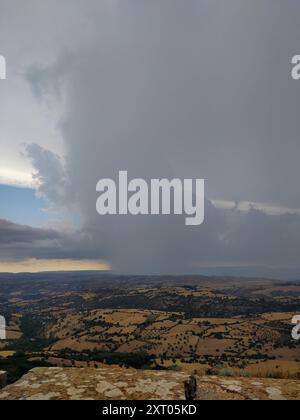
[[197, 89]]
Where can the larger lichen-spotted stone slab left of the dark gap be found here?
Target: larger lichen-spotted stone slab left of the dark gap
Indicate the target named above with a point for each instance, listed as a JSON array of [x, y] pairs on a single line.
[[96, 384]]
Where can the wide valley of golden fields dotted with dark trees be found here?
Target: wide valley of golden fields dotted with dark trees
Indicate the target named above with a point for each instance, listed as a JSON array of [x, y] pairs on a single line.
[[218, 326]]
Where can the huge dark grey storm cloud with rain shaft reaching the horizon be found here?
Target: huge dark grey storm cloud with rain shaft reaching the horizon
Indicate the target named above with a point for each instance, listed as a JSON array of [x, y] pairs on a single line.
[[179, 89]]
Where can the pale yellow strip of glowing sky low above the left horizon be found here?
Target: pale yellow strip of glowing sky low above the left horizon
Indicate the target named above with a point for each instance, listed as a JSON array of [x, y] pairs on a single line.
[[41, 265]]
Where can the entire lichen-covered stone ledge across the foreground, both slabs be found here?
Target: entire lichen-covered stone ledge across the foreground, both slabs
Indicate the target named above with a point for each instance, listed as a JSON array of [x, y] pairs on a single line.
[[114, 383]]
